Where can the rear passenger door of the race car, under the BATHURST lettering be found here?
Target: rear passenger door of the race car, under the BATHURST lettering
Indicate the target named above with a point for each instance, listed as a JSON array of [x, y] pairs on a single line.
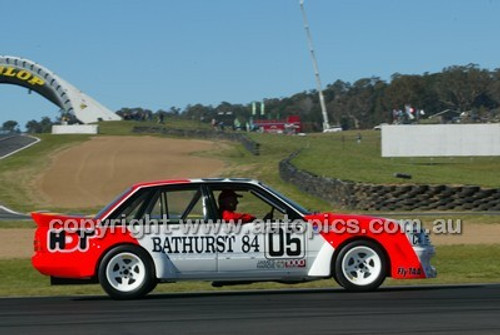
[[176, 234]]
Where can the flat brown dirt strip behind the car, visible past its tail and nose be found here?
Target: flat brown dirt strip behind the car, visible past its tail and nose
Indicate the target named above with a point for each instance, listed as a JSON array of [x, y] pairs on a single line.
[[18, 243]]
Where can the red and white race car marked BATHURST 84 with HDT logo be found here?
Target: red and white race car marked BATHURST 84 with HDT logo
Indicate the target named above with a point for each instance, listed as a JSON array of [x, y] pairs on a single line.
[[175, 230]]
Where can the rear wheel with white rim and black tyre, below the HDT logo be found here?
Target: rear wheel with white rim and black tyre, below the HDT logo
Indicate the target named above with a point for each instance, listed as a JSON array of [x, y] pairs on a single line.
[[127, 272]]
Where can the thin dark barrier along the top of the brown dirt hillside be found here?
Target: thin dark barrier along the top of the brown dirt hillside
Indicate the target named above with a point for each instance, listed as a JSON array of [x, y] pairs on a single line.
[[249, 144]]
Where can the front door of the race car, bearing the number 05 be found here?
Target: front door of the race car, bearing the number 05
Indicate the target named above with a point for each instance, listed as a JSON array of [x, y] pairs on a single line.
[[261, 250]]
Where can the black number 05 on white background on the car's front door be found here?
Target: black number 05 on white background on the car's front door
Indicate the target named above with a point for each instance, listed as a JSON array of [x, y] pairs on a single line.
[[282, 242]]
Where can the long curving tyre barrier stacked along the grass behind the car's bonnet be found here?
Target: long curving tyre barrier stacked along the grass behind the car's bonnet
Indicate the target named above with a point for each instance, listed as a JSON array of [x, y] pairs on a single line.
[[364, 196]]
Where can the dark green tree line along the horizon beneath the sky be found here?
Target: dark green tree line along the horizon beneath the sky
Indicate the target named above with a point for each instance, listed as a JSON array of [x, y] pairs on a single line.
[[363, 104]]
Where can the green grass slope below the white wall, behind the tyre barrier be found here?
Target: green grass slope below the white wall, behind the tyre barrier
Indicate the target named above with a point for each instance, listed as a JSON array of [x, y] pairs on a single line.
[[339, 155]]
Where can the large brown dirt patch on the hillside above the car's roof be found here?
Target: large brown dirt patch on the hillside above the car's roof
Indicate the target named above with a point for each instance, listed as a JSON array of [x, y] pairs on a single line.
[[92, 173]]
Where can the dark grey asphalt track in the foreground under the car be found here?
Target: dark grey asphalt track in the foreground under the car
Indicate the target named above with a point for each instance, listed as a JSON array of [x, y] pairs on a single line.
[[465, 309]]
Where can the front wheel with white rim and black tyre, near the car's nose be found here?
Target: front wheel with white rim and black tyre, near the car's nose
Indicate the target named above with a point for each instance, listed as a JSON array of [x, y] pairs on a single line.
[[360, 266]]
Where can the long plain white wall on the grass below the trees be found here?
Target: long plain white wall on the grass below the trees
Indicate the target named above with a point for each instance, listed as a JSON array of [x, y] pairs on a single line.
[[441, 140]]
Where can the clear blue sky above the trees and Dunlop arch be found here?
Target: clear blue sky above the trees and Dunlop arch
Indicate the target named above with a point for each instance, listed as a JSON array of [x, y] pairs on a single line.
[[163, 53]]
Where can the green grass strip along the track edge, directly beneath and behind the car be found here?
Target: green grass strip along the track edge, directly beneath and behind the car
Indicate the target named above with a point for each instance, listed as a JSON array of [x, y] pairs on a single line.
[[455, 264]]
